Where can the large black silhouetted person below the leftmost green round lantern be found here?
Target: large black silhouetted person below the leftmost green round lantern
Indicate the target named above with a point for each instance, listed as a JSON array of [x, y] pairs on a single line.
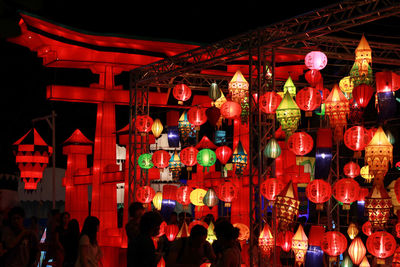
[[141, 250]]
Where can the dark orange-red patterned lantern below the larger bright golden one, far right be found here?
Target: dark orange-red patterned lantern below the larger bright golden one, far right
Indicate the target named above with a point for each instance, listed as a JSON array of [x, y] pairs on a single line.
[[378, 205]]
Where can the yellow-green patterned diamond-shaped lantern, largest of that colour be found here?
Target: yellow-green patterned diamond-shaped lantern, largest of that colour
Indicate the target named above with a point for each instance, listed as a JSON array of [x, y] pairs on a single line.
[[288, 114]]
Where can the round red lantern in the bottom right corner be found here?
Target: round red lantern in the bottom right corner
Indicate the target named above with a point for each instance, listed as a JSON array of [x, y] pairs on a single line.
[[381, 244]]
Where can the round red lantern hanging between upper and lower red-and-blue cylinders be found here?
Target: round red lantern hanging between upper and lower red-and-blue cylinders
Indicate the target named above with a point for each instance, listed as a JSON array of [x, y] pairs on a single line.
[[318, 191]]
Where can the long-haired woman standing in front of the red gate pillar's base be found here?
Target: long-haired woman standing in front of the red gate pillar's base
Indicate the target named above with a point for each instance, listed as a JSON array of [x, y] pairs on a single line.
[[89, 253]]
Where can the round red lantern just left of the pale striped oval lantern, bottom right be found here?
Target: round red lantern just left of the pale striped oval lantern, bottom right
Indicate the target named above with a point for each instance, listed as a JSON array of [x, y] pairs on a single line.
[[333, 243]]
